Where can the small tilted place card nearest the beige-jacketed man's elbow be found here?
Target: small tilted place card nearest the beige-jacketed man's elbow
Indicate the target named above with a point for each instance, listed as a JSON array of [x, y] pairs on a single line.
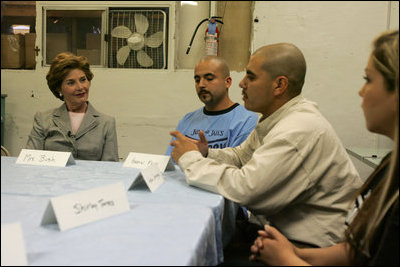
[[151, 176]]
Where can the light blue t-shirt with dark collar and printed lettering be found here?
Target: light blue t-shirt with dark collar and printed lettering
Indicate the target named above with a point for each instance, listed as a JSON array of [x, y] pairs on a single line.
[[225, 128]]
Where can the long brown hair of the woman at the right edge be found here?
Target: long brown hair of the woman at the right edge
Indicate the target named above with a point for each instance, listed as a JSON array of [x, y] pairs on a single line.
[[361, 232]]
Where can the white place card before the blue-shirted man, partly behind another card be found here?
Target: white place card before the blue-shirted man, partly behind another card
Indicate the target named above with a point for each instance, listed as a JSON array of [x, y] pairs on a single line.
[[143, 160]]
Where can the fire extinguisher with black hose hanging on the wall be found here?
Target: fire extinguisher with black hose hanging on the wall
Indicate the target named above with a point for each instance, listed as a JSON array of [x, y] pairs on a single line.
[[211, 36]]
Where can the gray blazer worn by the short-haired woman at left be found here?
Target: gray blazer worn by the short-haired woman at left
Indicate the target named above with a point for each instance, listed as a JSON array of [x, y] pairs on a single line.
[[96, 138]]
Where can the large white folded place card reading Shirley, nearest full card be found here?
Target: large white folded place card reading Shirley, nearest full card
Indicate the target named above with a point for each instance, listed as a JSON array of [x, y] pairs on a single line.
[[86, 206]]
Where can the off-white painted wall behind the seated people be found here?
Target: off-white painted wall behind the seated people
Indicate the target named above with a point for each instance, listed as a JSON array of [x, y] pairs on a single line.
[[334, 36]]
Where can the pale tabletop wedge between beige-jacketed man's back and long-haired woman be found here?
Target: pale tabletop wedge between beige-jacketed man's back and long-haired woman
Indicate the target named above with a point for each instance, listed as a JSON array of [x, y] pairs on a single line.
[[370, 156]]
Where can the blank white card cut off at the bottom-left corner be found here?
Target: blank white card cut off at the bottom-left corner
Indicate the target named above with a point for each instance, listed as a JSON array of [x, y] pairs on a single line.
[[12, 245]]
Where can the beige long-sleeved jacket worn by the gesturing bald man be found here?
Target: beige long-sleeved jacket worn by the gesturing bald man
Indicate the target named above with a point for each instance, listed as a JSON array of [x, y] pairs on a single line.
[[292, 169]]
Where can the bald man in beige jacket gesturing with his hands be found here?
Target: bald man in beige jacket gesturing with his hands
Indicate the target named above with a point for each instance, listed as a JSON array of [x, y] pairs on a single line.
[[292, 169]]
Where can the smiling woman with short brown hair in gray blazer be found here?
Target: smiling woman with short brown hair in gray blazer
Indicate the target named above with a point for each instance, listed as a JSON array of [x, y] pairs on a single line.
[[76, 126]]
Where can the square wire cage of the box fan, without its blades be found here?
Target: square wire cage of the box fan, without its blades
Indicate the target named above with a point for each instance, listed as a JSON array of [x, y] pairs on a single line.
[[157, 22]]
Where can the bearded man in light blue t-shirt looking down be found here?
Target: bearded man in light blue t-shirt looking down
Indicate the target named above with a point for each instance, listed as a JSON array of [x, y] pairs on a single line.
[[224, 122]]
